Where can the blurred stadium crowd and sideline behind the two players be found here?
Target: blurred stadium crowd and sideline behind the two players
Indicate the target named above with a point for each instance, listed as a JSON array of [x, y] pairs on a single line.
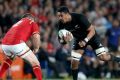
[[55, 60]]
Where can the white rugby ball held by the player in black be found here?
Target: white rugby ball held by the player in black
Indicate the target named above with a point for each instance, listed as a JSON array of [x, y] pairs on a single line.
[[63, 33]]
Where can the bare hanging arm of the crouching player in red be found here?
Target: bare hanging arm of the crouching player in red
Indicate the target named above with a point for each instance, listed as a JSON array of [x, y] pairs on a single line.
[[36, 42]]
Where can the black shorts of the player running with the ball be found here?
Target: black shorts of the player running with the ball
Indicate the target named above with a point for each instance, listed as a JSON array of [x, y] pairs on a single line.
[[94, 43]]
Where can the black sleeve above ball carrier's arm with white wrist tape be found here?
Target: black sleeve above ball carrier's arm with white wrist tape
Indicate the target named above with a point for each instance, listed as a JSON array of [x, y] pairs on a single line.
[[83, 21]]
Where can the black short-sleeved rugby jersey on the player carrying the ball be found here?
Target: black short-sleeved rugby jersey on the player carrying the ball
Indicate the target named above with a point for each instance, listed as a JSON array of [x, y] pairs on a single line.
[[77, 26]]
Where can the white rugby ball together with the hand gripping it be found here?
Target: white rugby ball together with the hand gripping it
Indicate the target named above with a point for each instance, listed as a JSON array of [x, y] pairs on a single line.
[[65, 35]]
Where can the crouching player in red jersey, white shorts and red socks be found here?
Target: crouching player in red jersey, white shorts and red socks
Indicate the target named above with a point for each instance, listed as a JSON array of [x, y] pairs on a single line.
[[14, 44]]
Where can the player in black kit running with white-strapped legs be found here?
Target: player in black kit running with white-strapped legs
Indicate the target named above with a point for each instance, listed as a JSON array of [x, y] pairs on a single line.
[[84, 34]]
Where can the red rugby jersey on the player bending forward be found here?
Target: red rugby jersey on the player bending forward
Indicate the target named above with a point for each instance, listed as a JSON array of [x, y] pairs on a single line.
[[20, 32]]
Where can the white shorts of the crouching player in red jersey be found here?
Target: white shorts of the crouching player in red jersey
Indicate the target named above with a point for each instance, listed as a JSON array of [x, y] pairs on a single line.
[[21, 50]]
